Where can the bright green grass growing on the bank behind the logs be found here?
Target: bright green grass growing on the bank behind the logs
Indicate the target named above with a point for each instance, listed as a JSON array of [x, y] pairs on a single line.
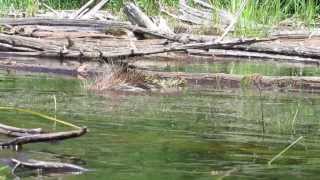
[[258, 14]]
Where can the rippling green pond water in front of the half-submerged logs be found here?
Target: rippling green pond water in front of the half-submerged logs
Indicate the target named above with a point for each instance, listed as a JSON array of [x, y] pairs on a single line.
[[189, 134]]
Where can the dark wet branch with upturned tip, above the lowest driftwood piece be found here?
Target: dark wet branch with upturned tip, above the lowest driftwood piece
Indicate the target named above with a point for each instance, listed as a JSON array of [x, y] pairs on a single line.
[[43, 137]]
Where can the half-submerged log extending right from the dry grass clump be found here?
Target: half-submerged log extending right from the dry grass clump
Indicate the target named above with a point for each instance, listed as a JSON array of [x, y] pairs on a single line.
[[221, 80]]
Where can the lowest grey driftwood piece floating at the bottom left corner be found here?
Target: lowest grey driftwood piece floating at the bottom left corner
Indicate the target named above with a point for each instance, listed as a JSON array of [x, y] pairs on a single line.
[[47, 166]]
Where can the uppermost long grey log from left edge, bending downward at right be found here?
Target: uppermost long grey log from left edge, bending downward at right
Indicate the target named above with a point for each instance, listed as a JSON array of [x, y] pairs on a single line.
[[99, 26]]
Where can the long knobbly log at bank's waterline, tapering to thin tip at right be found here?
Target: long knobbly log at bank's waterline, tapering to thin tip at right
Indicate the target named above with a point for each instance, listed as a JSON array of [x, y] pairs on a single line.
[[52, 48]]
